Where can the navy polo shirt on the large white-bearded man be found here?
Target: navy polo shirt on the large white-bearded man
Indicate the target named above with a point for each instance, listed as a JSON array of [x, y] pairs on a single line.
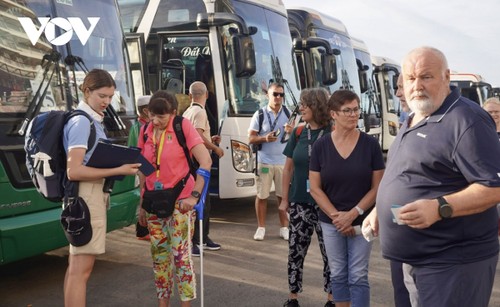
[[454, 147]]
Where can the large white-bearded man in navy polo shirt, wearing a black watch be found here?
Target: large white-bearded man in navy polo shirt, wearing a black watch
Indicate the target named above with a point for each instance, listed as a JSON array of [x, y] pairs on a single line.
[[443, 170]]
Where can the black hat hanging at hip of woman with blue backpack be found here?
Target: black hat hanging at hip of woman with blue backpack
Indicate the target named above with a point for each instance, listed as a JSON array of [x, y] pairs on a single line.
[[75, 219]]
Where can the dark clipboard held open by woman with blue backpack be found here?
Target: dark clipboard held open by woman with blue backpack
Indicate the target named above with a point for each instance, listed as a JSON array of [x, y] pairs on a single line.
[[108, 155]]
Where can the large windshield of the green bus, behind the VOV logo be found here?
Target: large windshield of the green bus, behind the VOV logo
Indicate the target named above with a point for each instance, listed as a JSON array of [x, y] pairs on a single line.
[[26, 69]]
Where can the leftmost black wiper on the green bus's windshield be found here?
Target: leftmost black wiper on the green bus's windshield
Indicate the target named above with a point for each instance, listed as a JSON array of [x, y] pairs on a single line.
[[48, 60]]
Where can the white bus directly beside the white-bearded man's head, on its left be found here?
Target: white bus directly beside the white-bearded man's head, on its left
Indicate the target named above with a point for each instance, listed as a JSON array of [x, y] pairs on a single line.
[[385, 76]]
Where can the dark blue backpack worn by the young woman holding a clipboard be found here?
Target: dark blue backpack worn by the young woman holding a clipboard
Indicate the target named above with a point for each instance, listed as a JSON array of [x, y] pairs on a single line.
[[45, 154]]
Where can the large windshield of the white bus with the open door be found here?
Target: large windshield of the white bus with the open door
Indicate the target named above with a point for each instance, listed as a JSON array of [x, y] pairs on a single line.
[[272, 45]]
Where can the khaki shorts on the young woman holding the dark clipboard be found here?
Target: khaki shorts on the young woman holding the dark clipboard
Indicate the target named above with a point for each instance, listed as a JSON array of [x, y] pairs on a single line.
[[91, 192]]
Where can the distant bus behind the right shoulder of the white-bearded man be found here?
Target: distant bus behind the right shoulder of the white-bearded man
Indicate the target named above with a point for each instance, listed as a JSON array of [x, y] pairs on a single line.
[[472, 86]]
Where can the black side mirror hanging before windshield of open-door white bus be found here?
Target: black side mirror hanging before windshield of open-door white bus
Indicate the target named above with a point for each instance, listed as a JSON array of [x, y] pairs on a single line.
[[243, 55]]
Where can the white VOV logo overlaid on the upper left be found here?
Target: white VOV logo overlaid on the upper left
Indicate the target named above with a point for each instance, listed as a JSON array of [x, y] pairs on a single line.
[[67, 26]]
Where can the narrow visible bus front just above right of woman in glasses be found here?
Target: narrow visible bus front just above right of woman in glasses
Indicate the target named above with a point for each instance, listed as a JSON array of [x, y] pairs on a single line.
[[370, 103]]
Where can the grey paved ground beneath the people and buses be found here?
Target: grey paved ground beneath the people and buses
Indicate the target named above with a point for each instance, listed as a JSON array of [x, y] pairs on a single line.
[[244, 273]]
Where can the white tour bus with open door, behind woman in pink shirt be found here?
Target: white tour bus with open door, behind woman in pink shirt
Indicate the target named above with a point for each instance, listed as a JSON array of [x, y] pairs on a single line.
[[236, 47]]
